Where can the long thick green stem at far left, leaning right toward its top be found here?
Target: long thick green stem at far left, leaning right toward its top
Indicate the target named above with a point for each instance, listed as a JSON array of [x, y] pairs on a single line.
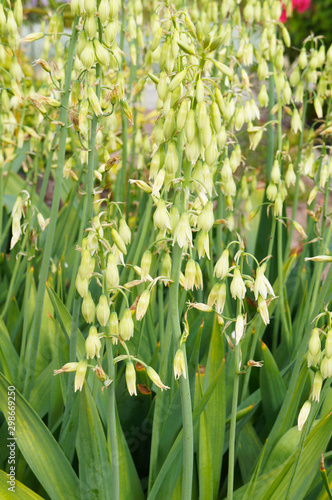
[[53, 218]]
